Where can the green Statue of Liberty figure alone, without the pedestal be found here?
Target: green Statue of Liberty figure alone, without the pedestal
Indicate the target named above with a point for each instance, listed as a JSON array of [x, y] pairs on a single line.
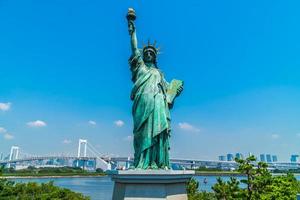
[[152, 97]]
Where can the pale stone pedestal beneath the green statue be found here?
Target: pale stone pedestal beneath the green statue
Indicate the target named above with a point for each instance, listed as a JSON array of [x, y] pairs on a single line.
[[151, 184]]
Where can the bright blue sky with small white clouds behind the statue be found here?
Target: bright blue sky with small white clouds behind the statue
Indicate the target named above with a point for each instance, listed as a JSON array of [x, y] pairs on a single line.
[[64, 67]]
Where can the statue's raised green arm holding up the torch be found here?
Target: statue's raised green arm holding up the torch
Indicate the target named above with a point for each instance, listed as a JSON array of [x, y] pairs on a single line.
[[132, 31]]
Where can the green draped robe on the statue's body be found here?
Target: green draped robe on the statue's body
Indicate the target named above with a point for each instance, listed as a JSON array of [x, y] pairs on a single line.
[[151, 116]]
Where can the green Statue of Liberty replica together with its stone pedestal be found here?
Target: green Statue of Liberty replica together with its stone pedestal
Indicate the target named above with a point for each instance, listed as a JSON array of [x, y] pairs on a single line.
[[152, 97]]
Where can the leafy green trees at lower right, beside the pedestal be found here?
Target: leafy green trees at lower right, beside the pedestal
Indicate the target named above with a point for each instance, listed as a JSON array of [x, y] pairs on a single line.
[[259, 182]]
